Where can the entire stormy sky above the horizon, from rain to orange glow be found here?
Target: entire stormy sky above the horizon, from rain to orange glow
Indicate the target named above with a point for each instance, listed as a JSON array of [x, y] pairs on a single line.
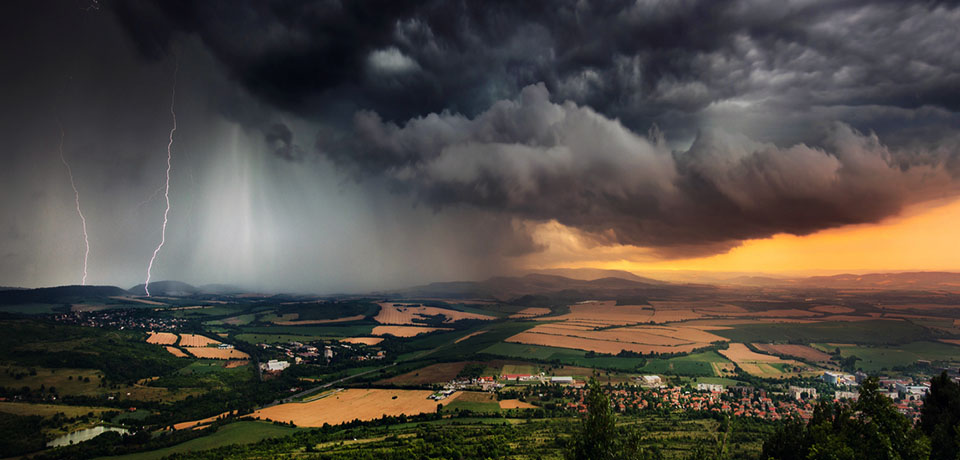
[[326, 146]]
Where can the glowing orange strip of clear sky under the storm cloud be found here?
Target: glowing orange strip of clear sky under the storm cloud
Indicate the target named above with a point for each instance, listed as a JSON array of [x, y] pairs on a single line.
[[925, 237]]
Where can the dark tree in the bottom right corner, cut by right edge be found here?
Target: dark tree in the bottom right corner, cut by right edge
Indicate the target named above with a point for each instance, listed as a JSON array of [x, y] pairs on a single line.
[[940, 418]]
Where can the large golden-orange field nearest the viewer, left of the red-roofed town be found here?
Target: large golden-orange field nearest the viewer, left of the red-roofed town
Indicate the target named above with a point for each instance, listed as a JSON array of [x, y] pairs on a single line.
[[362, 404]]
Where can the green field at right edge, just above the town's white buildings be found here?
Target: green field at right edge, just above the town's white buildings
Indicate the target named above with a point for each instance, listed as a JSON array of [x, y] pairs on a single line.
[[876, 358]]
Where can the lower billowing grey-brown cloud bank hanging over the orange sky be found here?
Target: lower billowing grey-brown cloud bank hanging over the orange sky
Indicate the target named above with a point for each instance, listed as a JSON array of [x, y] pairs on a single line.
[[538, 160]]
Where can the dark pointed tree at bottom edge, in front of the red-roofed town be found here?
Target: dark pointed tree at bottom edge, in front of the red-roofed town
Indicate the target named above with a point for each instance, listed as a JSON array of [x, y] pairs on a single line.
[[600, 438]]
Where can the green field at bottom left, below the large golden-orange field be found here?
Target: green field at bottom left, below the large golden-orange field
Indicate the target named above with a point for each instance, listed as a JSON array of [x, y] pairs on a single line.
[[234, 433]]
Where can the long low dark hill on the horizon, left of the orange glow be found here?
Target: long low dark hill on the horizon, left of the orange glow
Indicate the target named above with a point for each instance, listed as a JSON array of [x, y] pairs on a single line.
[[547, 287]]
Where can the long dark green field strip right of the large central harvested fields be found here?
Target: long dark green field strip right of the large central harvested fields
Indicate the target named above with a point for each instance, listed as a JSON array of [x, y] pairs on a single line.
[[862, 332]]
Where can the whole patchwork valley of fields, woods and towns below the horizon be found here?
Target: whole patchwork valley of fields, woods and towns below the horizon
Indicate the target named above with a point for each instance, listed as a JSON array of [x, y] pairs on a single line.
[[199, 371]]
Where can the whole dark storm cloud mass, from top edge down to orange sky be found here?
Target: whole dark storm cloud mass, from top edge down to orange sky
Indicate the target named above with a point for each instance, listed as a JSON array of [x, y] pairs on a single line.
[[774, 97]]
